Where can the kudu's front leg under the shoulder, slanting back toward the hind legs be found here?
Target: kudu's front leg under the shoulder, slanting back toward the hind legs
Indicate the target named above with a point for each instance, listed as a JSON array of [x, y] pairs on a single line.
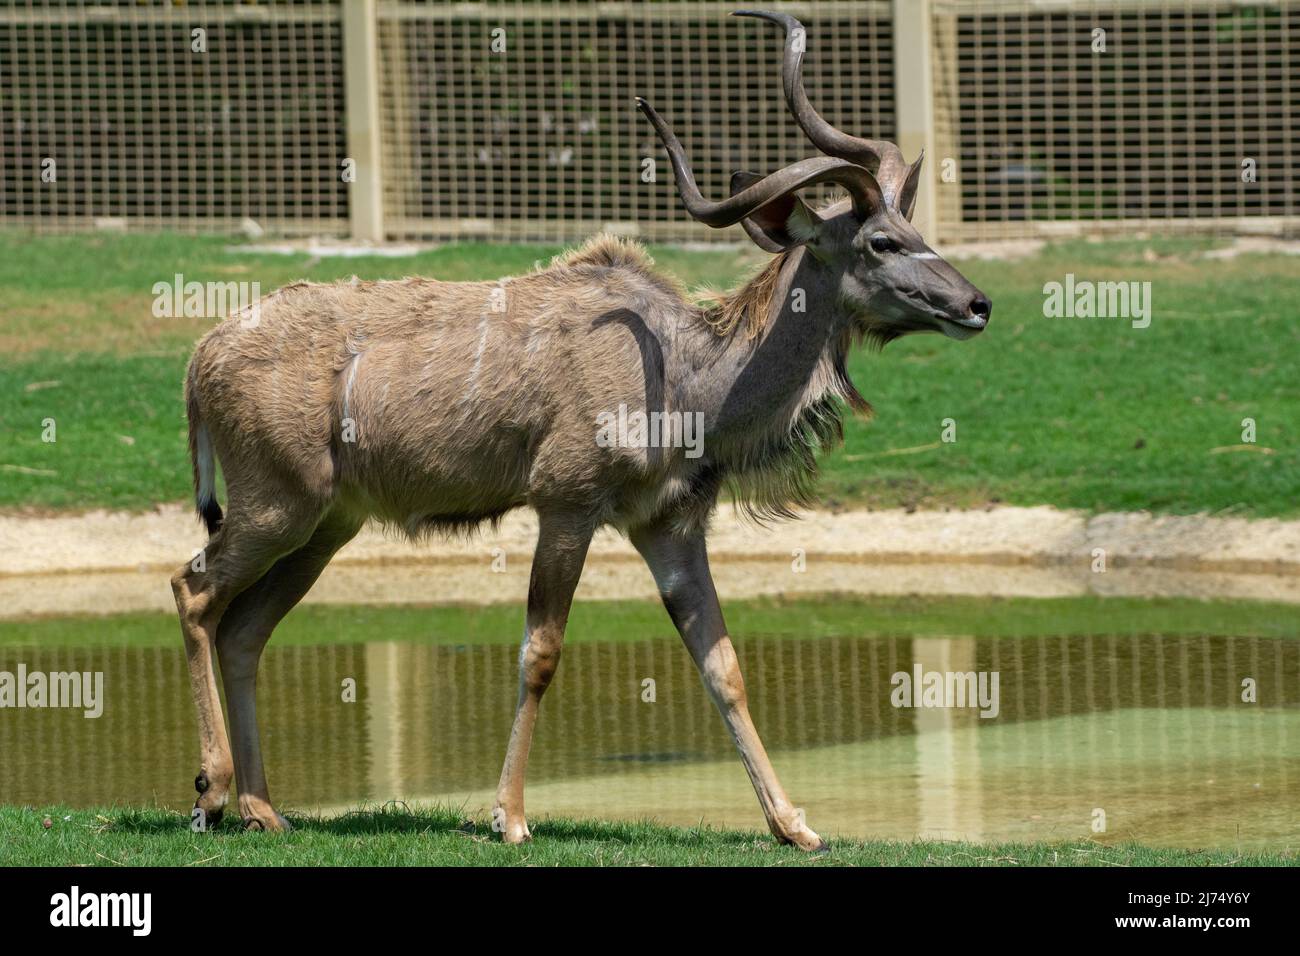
[[562, 544]]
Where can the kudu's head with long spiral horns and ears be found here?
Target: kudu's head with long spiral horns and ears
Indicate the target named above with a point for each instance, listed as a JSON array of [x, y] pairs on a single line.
[[887, 279]]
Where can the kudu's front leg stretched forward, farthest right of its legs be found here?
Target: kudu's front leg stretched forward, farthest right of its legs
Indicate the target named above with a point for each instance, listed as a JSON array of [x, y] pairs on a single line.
[[681, 568]]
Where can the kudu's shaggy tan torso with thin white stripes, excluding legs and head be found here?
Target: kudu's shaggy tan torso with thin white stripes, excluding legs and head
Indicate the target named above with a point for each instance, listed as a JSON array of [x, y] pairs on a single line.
[[462, 413]]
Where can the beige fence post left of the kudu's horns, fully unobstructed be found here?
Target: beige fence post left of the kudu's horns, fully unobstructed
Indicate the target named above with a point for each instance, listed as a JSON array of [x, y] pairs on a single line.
[[362, 106]]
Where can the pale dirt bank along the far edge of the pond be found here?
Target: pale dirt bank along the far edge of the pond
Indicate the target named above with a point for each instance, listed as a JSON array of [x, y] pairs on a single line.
[[106, 563]]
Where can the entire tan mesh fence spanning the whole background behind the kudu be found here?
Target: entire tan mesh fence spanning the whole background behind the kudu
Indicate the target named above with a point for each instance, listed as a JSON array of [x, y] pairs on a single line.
[[517, 122]]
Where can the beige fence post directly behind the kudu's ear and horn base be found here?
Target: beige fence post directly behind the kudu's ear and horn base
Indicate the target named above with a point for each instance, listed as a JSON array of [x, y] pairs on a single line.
[[915, 102]]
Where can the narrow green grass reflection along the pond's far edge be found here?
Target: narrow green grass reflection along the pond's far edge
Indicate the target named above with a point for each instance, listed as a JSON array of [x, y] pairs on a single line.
[[635, 621]]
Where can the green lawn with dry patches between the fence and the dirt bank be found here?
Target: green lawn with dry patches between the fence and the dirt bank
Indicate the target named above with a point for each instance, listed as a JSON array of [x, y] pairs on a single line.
[[1074, 413]]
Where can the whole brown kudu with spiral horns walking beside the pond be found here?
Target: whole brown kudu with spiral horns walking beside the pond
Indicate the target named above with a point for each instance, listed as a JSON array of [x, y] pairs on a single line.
[[437, 406]]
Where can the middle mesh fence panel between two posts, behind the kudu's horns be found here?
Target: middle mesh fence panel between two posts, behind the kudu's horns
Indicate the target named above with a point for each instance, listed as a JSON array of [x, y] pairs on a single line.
[[543, 141]]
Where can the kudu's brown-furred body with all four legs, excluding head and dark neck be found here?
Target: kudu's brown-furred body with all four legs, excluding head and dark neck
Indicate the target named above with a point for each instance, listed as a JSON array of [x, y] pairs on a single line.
[[436, 406]]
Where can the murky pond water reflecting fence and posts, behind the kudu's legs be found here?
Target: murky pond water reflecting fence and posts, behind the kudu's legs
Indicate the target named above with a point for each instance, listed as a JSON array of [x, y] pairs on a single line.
[[1151, 732]]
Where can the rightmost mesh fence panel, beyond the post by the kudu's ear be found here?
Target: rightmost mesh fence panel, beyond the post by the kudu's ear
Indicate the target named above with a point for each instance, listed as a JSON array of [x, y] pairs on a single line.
[[1103, 116]]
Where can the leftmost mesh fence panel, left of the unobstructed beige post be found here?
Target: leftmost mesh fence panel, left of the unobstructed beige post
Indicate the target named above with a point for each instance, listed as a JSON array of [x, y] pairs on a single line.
[[124, 115]]
